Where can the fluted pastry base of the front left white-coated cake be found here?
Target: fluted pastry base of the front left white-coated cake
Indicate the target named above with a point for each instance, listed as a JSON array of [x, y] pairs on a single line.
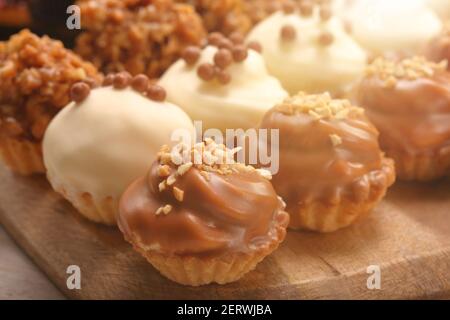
[[97, 209]]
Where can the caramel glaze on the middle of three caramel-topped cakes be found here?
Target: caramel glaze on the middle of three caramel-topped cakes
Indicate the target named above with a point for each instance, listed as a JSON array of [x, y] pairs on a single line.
[[312, 168]]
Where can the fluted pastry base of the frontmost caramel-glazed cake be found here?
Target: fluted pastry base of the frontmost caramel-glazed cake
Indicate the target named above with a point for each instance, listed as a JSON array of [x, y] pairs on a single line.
[[197, 271]]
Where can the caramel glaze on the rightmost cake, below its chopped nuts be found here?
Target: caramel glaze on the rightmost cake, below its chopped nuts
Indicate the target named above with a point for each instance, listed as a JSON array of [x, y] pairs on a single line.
[[413, 116]]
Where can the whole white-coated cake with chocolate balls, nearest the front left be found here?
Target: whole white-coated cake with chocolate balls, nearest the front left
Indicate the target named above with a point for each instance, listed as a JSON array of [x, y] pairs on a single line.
[[103, 140]]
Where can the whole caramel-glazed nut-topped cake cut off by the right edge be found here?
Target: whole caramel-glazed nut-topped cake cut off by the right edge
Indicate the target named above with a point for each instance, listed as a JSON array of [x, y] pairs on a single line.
[[409, 102]]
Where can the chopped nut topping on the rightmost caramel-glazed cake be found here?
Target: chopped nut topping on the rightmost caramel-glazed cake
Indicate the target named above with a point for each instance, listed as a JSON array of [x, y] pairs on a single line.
[[408, 69]]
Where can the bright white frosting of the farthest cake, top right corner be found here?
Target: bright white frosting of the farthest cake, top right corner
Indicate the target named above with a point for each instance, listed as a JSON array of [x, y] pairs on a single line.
[[383, 26]]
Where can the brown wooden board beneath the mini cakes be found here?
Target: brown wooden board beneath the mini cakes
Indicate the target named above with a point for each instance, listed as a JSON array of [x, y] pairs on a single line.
[[408, 236]]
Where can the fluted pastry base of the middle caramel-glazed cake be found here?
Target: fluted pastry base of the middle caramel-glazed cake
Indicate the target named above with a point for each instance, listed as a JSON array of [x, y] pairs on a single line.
[[327, 217]]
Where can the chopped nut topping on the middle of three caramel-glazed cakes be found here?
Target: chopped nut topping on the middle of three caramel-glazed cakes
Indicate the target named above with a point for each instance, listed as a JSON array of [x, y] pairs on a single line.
[[318, 106]]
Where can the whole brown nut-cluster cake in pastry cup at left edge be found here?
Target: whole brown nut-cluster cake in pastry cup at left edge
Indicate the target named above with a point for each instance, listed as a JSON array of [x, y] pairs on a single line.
[[35, 78]]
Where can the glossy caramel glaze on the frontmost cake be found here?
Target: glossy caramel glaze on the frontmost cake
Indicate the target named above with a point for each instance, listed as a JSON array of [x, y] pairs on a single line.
[[238, 211]]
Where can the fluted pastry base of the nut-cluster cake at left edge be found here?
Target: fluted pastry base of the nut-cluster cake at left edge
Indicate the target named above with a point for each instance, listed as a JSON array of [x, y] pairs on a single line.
[[22, 156]]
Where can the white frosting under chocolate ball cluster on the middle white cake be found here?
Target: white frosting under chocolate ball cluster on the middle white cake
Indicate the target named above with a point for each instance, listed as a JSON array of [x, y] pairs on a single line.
[[239, 104]]
